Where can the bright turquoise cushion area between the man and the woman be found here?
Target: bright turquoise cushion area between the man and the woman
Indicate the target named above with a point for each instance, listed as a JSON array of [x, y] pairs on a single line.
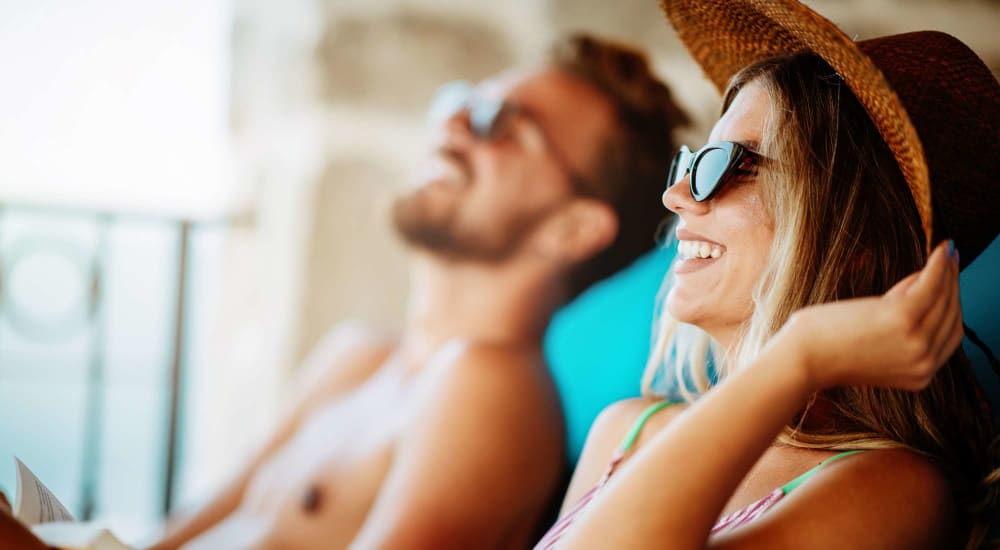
[[596, 346]]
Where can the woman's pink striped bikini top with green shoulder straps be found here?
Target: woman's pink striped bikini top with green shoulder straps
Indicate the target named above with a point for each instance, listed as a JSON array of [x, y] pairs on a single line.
[[730, 521]]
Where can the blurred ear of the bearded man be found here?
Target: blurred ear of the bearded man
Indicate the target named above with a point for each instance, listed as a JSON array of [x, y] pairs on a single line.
[[578, 231]]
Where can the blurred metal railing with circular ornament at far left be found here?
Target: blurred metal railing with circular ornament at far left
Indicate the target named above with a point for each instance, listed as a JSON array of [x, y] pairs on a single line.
[[95, 319]]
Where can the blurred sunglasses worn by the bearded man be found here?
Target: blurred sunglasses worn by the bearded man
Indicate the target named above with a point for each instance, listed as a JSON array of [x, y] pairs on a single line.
[[491, 119]]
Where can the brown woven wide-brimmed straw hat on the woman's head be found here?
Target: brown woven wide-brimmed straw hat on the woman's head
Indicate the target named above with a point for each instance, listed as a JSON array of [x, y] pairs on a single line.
[[934, 101]]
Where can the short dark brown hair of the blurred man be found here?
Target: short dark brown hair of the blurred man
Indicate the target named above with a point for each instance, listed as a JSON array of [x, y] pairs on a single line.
[[631, 169]]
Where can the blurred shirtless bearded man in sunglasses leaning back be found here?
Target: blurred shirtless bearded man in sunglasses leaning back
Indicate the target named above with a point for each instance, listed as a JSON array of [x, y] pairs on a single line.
[[449, 435]]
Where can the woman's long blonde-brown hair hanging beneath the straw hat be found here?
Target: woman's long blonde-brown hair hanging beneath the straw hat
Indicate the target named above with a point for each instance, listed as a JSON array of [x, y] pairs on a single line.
[[845, 226]]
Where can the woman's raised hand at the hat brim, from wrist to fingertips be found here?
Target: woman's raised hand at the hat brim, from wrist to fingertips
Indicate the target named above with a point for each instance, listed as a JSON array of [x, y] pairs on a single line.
[[896, 340]]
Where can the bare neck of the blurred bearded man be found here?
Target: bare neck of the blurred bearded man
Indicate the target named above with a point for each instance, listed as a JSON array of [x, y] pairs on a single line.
[[494, 304]]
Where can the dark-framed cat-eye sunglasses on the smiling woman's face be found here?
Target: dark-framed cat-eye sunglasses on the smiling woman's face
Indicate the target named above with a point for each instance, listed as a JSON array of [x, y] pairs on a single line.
[[710, 167]]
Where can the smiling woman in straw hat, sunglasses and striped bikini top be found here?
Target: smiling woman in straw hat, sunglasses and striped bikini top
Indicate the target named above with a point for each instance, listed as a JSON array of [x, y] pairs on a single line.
[[847, 416]]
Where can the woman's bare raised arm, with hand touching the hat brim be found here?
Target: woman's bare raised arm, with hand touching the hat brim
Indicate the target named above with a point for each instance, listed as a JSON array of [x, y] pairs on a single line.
[[690, 471]]
